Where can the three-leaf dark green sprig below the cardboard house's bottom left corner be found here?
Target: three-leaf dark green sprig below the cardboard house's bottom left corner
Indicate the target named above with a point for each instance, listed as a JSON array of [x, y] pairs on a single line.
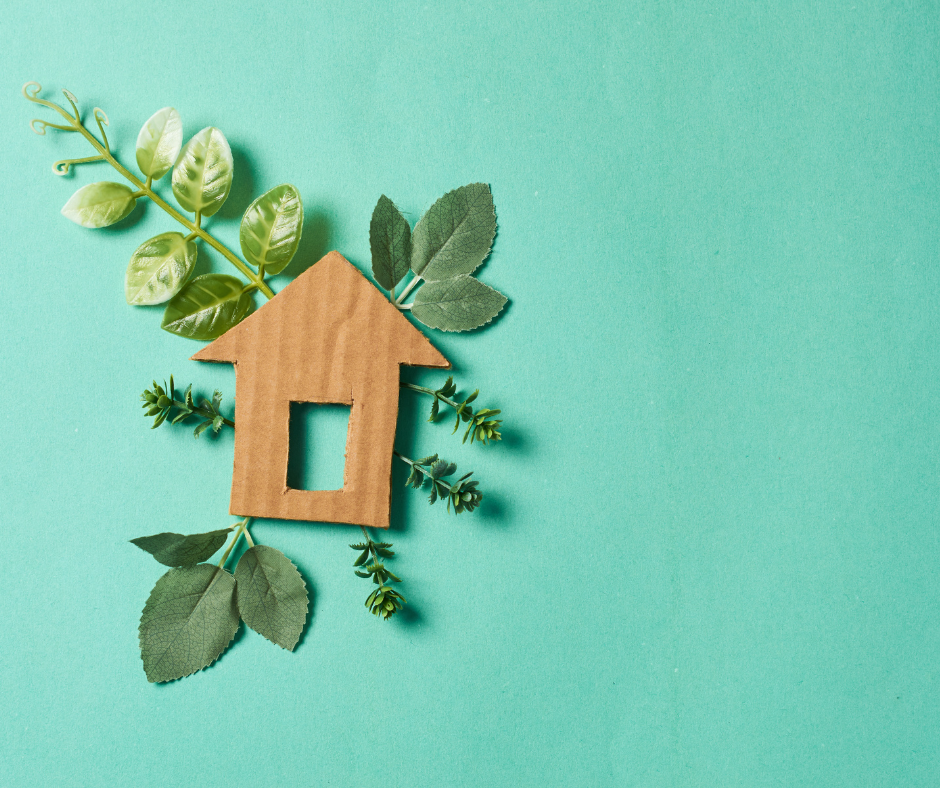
[[193, 612]]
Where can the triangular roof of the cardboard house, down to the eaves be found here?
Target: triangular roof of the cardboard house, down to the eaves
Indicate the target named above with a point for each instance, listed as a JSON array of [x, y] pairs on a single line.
[[329, 310]]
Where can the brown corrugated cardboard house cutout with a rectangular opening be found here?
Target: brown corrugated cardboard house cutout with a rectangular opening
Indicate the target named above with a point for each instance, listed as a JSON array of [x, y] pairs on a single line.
[[331, 337]]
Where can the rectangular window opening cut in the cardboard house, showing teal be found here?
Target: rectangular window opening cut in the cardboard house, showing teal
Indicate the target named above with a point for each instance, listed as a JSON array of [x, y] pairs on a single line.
[[316, 457]]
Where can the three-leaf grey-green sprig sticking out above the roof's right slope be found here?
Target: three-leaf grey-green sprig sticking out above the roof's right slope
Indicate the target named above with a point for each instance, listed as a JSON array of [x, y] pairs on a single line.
[[448, 244]]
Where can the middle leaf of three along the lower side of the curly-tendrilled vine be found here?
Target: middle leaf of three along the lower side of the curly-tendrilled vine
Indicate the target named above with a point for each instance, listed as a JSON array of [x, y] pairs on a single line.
[[159, 269]]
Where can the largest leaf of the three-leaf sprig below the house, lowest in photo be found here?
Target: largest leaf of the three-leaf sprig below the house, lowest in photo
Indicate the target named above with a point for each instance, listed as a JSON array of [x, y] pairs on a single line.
[[188, 621]]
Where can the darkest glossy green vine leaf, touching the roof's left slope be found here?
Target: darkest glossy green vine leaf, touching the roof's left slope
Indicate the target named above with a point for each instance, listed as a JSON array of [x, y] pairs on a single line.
[[207, 307]]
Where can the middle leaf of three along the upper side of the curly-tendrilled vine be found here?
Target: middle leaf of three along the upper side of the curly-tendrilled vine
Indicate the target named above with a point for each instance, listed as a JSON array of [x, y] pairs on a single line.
[[202, 176]]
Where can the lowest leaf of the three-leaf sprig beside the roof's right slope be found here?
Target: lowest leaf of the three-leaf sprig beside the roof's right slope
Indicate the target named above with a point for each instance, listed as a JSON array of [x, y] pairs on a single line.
[[457, 304]]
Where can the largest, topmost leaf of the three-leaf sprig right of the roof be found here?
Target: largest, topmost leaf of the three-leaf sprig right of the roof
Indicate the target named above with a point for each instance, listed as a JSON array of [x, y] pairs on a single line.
[[455, 234]]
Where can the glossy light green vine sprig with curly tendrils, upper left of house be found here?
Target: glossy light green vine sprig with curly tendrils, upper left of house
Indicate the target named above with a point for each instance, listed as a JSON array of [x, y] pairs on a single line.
[[160, 270]]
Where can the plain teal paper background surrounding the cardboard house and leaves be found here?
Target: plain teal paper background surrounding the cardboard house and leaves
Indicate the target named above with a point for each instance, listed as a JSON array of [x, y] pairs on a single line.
[[708, 554]]
